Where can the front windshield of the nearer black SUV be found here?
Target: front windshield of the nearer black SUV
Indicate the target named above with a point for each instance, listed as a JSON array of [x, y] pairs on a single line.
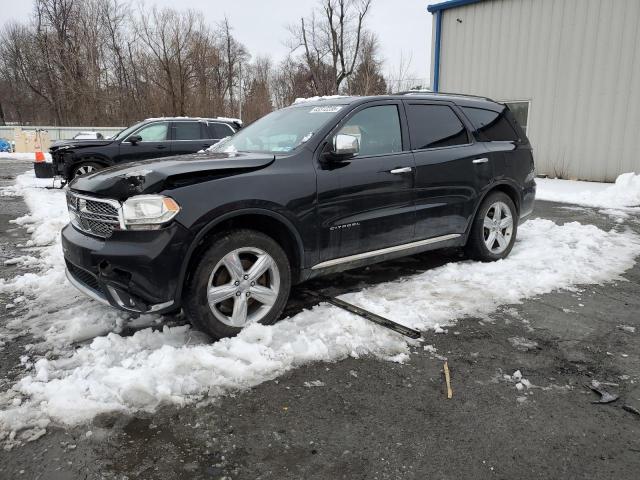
[[280, 131]]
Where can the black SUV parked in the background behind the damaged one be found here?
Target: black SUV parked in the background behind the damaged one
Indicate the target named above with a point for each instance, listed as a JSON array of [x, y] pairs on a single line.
[[151, 138]]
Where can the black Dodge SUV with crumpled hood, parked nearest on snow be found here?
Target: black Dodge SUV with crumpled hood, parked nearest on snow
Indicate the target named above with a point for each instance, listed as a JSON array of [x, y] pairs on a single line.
[[314, 188]]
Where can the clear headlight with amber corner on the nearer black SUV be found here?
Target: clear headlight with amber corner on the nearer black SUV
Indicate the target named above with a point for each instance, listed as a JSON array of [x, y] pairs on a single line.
[[148, 212]]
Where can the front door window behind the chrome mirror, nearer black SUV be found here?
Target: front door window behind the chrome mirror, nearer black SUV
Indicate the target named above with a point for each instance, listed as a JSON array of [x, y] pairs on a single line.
[[377, 130]]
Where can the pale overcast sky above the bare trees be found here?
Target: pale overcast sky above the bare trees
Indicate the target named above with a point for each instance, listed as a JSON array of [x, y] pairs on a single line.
[[403, 26]]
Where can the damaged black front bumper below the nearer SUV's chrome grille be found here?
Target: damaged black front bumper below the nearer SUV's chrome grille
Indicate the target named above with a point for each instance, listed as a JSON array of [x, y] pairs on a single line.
[[137, 272]]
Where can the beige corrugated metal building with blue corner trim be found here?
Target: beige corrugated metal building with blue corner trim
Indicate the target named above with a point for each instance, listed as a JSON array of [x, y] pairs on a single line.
[[576, 63]]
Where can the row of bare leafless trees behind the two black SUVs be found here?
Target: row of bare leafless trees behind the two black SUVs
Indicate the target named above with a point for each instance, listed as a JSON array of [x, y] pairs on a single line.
[[107, 62]]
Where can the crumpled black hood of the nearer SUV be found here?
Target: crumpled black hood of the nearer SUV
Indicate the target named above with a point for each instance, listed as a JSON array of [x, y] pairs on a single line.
[[152, 176]]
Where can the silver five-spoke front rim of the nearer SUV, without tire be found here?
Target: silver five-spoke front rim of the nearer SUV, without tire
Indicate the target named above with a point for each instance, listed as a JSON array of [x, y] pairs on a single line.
[[243, 287]]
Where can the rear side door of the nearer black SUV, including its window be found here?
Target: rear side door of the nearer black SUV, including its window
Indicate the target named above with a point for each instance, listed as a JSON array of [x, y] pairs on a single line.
[[451, 169]]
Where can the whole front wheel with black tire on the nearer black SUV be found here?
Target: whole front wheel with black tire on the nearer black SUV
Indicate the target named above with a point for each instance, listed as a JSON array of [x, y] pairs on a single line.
[[222, 282]]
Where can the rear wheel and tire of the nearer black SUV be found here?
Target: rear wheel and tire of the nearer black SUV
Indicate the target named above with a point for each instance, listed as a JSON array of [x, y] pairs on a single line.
[[480, 236]]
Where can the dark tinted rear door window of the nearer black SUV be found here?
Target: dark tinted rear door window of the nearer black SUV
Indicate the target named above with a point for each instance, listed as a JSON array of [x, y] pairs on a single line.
[[433, 126]]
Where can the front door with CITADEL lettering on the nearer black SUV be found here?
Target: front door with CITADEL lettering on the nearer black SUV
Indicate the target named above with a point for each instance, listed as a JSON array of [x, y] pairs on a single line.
[[365, 203]]
